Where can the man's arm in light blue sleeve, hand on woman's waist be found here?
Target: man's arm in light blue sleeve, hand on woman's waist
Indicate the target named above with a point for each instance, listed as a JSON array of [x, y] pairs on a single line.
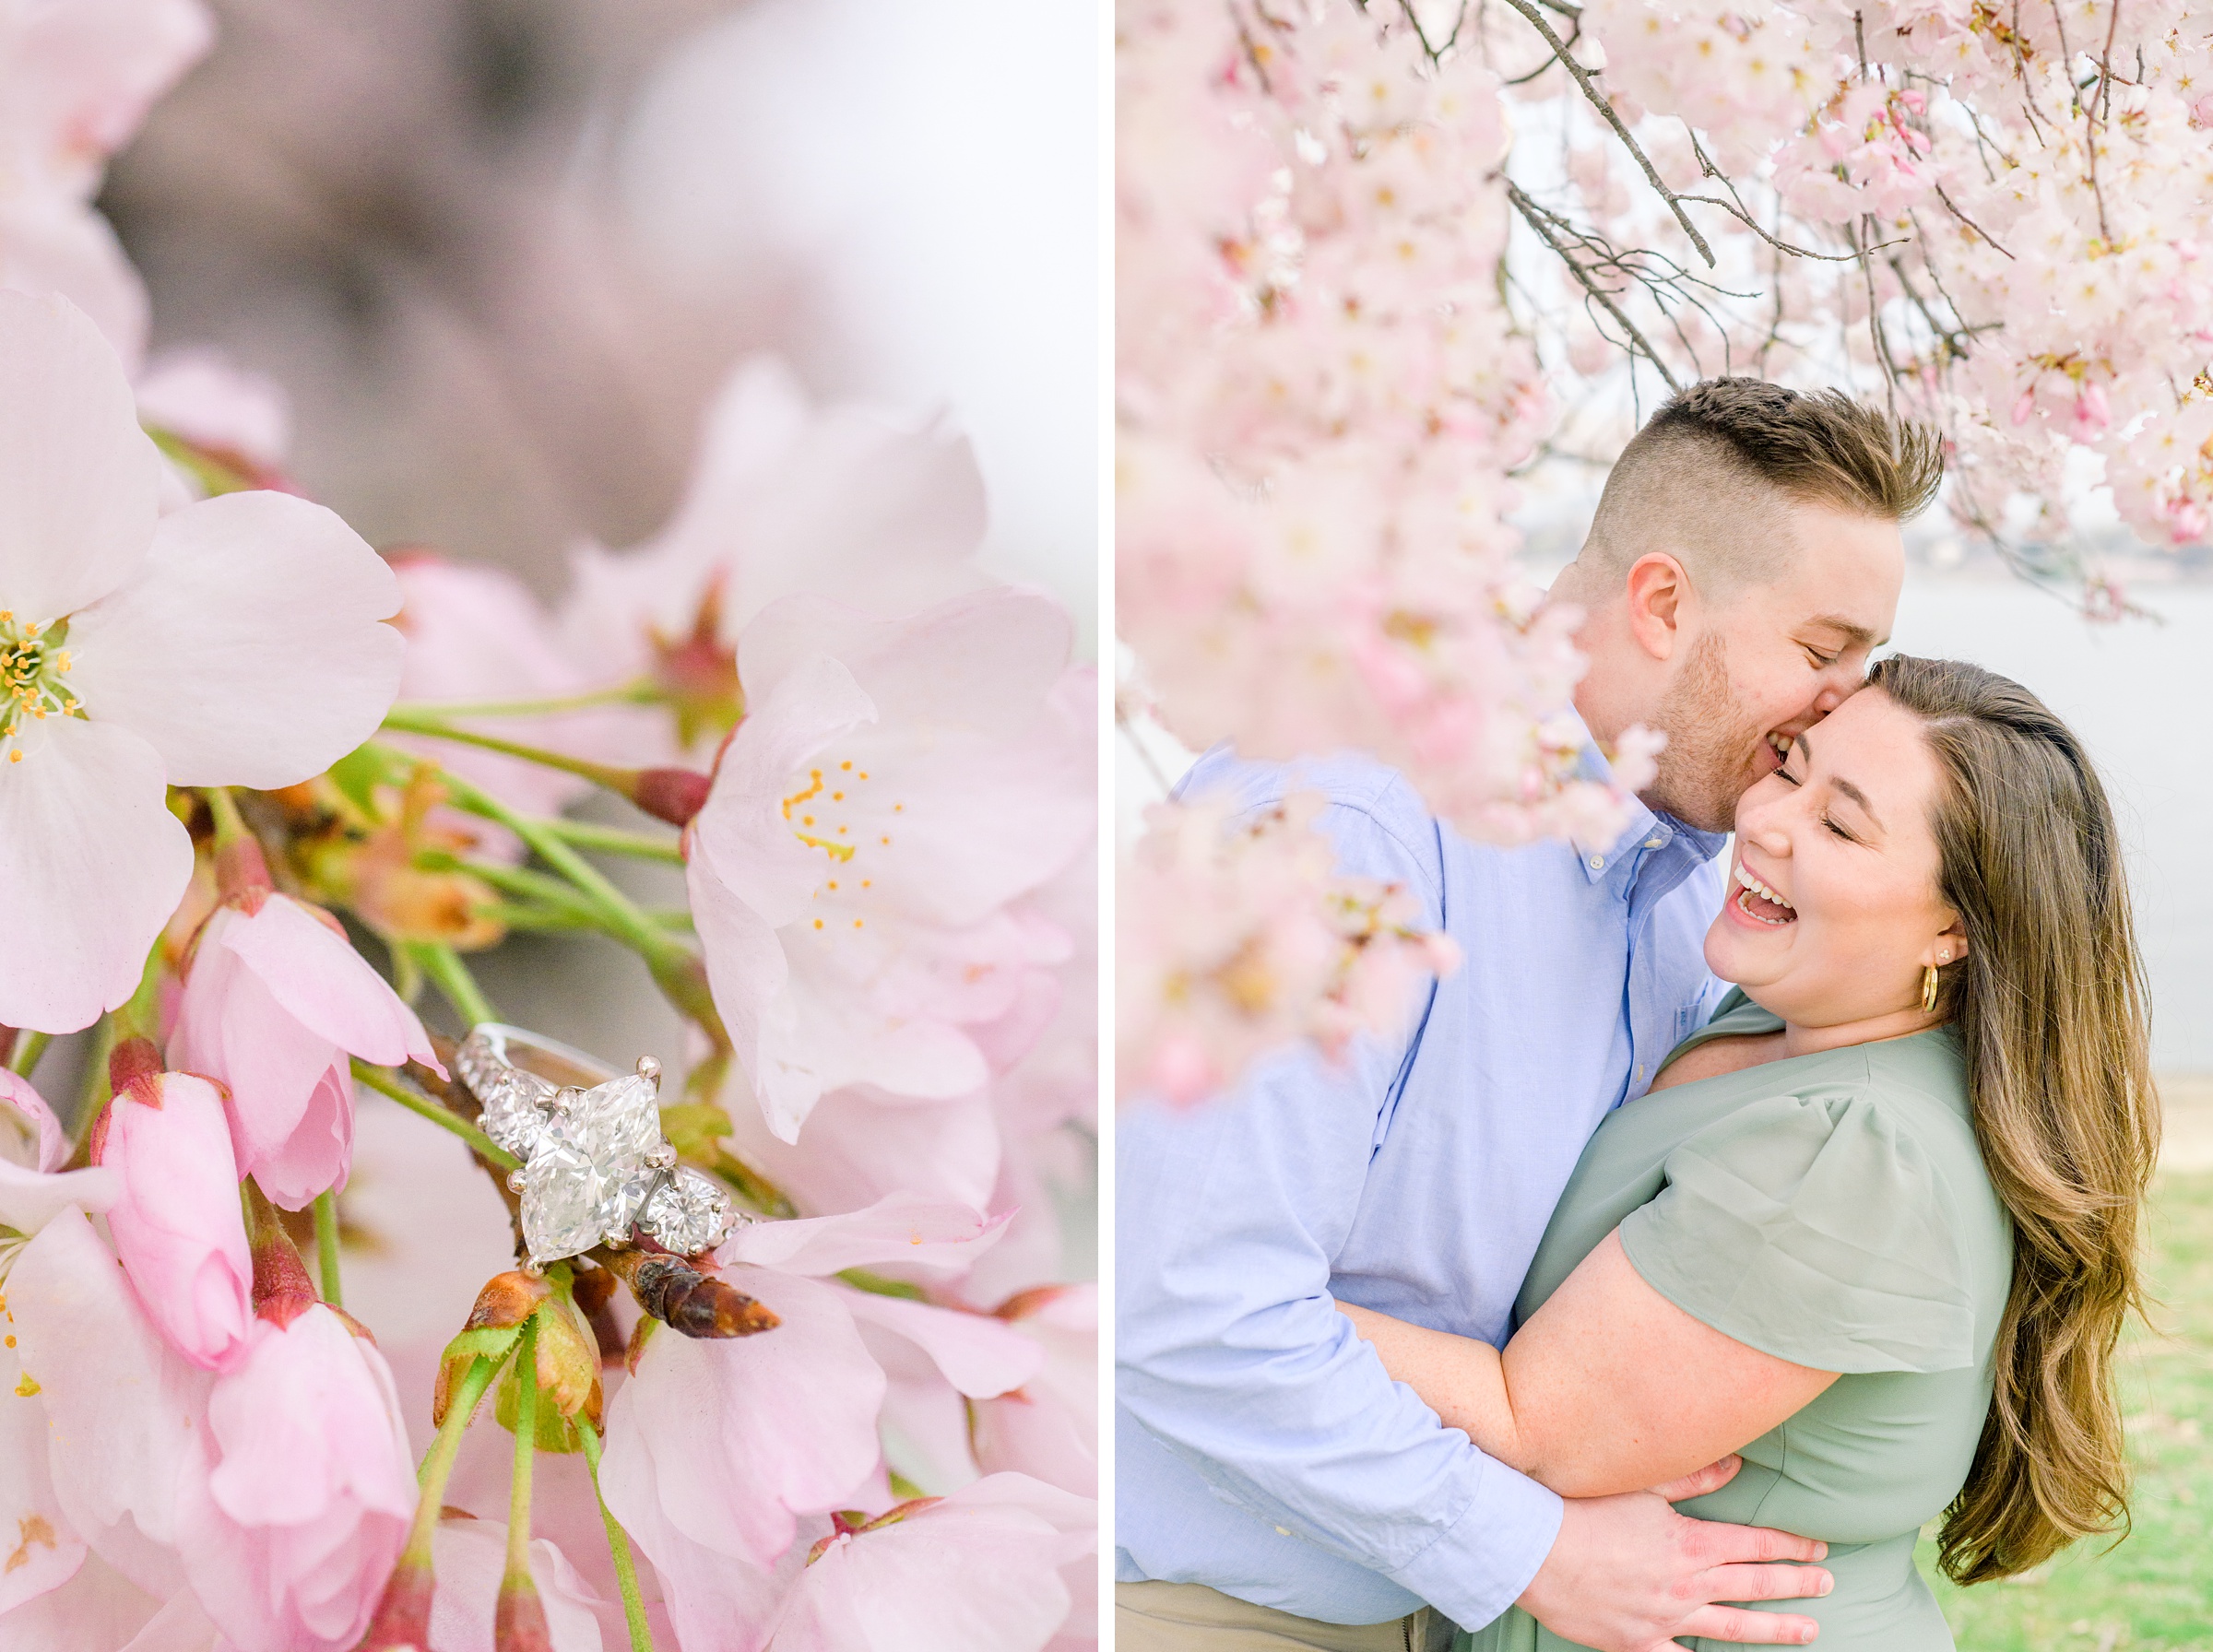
[[1234, 1357]]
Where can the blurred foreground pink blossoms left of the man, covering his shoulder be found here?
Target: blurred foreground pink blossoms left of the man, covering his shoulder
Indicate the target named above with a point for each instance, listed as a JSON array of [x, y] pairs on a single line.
[[1320, 401]]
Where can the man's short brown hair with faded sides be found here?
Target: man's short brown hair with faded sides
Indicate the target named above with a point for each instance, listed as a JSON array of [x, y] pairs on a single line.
[[1705, 477]]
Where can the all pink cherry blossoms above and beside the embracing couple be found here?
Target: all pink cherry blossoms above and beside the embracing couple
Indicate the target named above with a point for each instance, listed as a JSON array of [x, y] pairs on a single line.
[[1382, 260]]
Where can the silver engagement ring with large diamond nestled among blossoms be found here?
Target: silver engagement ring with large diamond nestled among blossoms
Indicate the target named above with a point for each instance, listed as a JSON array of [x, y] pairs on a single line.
[[596, 1164]]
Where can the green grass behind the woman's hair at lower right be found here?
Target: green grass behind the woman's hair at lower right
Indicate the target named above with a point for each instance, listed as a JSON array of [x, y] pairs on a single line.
[[2152, 1593]]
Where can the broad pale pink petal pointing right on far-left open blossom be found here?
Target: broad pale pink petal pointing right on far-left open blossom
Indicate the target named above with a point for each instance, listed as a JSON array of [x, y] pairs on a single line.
[[251, 649]]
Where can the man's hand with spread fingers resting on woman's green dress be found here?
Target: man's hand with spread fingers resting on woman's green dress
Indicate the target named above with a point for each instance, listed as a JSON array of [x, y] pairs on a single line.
[[1630, 1573]]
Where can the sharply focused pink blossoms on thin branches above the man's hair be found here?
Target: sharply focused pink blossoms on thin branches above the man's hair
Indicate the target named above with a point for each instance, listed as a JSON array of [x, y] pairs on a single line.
[[2008, 218]]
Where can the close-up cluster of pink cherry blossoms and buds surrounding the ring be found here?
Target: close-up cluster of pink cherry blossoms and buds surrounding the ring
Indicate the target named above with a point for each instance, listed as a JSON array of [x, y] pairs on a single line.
[[242, 755]]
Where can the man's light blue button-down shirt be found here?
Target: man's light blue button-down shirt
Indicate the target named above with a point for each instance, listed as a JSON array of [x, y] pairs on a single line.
[[1260, 1445]]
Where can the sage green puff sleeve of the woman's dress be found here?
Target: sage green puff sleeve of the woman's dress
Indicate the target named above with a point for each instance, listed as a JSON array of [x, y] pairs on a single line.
[[1816, 1231]]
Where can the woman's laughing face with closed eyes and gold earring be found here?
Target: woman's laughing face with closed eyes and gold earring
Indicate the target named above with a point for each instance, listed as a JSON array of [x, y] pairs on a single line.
[[1833, 908]]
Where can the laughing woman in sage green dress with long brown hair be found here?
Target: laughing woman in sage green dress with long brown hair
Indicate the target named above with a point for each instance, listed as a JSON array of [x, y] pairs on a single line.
[[1876, 1226]]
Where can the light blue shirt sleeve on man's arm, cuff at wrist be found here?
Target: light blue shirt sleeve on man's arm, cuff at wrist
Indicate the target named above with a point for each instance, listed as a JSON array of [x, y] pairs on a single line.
[[1232, 1352]]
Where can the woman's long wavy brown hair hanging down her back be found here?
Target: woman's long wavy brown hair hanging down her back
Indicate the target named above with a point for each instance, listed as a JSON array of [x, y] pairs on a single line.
[[2050, 1012]]
